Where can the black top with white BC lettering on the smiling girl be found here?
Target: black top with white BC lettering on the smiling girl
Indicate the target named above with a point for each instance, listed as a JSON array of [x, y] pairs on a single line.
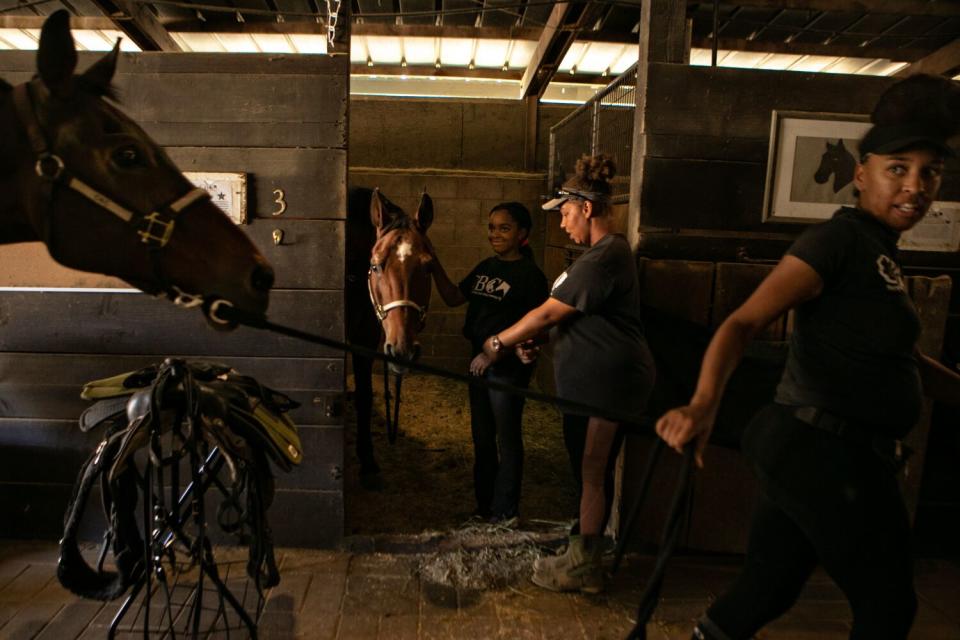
[[500, 292]]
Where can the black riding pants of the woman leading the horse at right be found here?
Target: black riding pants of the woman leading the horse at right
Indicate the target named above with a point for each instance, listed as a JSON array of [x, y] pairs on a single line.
[[824, 501]]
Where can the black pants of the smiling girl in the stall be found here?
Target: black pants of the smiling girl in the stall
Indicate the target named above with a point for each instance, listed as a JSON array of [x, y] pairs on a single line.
[[496, 425]]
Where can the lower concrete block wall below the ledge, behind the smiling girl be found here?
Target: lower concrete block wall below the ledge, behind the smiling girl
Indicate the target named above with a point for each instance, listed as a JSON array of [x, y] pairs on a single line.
[[462, 203]]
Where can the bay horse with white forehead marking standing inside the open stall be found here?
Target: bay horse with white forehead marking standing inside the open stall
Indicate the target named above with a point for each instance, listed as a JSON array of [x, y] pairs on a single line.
[[387, 288]]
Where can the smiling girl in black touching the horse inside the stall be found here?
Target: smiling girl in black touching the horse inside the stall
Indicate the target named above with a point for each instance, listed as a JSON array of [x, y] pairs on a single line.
[[498, 291]]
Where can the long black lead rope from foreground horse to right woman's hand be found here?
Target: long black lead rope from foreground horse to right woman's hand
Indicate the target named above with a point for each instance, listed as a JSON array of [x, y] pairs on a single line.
[[224, 312]]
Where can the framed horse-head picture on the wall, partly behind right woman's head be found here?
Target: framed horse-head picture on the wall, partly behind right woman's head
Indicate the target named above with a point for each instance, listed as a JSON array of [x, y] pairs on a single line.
[[810, 164]]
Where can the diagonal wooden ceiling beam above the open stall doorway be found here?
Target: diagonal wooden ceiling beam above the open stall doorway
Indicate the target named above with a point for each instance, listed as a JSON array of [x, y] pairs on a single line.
[[566, 21]]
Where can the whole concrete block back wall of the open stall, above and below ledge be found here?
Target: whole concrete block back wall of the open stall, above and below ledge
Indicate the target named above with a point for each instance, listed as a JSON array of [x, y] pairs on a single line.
[[468, 154]]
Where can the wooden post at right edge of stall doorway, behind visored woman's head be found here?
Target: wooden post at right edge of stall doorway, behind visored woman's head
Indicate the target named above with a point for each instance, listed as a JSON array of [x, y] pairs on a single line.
[[664, 37]]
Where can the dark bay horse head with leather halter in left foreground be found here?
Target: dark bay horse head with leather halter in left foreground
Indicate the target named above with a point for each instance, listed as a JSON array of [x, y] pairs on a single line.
[[83, 178]]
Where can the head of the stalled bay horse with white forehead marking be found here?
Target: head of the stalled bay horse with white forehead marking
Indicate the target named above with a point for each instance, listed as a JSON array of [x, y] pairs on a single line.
[[399, 276]]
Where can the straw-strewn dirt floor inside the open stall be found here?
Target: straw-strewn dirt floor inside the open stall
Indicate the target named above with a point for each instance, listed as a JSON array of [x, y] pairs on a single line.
[[428, 473]]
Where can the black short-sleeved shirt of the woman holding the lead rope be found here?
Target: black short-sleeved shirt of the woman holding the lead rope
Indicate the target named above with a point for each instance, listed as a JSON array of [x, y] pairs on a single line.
[[852, 348]]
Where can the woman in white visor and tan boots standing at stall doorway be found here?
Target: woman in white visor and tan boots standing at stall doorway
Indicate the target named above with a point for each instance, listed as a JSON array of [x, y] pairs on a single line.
[[601, 357]]
